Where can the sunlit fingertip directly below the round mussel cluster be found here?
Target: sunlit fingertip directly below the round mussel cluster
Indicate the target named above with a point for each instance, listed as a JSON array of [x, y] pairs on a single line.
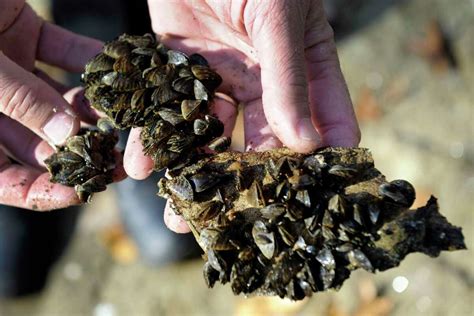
[[137, 165]]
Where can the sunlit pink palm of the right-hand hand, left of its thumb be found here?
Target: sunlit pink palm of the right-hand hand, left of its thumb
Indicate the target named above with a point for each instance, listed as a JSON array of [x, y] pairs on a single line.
[[195, 26]]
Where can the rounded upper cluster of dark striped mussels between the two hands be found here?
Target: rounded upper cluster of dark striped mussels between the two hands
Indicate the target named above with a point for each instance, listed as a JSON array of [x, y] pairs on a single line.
[[138, 82]]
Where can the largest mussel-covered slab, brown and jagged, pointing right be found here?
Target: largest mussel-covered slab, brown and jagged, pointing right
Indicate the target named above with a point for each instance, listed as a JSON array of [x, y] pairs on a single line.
[[290, 224]]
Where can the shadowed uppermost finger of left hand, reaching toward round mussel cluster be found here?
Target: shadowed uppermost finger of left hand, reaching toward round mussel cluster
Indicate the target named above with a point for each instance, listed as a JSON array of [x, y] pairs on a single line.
[[66, 49]]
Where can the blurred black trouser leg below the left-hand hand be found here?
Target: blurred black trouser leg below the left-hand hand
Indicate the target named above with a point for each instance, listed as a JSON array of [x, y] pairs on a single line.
[[30, 242]]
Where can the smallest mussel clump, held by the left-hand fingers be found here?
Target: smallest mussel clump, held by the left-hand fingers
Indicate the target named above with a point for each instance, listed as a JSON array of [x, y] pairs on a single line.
[[86, 162]]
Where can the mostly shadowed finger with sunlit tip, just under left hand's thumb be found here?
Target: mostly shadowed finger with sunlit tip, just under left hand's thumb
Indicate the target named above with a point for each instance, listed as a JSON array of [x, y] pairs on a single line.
[[23, 145]]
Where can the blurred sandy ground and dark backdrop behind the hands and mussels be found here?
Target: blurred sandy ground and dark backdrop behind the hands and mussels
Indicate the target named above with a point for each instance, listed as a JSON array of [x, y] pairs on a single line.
[[409, 66]]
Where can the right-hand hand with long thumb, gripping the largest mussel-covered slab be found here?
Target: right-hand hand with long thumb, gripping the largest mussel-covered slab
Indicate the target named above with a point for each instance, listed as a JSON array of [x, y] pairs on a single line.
[[278, 58]]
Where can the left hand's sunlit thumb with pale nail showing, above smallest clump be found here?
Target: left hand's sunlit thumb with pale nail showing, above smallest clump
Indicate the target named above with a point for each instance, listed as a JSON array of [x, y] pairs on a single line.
[[33, 103]]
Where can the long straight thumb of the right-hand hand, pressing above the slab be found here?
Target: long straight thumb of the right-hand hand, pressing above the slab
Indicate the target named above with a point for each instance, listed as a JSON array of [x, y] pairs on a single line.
[[279, 39]]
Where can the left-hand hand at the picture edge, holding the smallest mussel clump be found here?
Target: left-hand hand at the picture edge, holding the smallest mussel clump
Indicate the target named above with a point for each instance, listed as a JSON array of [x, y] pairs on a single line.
[[34, 109]]
